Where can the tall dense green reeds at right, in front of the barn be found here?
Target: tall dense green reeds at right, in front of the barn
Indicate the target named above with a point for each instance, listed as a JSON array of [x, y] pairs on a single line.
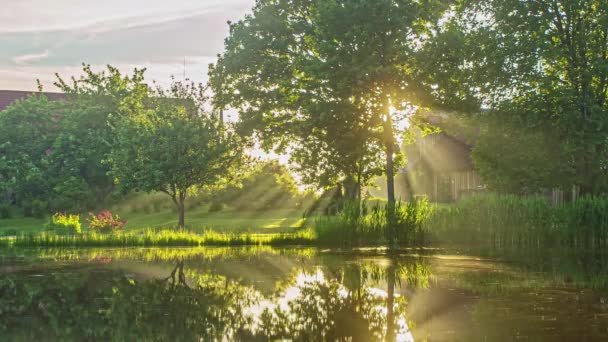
[[518, 221]]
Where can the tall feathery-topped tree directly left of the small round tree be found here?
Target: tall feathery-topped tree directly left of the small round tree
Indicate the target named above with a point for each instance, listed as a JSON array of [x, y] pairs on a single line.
[[86, 138]]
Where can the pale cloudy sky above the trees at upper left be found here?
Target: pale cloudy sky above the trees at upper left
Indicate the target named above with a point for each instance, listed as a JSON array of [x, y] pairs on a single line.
[[39, 38]]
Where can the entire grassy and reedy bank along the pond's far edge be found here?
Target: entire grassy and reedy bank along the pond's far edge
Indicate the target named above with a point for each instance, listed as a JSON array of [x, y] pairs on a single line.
[[491, 220]]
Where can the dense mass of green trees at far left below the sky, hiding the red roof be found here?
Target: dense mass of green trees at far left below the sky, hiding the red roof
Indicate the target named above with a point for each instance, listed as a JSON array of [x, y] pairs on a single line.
[[53, 151]]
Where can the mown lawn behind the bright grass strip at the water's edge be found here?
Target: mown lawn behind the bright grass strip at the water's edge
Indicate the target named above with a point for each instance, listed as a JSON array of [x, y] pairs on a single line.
[[197, 219]]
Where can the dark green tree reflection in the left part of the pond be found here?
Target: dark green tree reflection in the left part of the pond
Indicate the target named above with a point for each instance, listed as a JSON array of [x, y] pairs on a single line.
[[106, 305]]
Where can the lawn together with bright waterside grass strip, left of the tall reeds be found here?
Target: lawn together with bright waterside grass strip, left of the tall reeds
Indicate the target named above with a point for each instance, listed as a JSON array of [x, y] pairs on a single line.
[[152, 222]]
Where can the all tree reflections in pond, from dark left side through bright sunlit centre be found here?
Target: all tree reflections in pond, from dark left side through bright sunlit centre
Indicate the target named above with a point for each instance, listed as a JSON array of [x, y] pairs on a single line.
[[337, 302]]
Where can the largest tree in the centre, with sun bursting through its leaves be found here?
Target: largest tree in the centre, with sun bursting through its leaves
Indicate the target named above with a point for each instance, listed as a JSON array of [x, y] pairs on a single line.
[[325, 78]]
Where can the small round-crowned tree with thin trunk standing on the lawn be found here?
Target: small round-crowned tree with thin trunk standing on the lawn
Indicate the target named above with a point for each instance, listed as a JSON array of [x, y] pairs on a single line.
[[169, 143]]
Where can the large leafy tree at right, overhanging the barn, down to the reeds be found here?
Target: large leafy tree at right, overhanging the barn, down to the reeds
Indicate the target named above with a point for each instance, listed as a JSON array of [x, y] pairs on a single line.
[[541, 69]]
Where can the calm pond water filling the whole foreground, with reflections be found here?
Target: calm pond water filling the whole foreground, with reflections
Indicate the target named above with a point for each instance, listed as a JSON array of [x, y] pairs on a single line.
[[300, 294]]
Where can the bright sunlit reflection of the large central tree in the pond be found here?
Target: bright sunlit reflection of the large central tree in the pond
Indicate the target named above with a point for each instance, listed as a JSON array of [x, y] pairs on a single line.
[[345, 307]]
